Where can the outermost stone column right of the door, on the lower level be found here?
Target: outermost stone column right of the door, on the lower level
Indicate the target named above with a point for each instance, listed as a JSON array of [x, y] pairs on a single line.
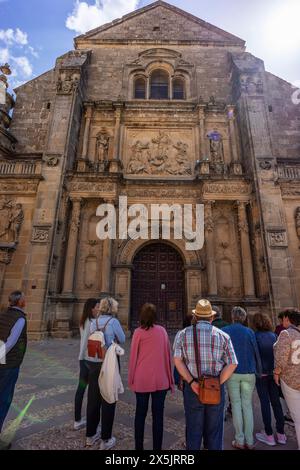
[[247, 263]]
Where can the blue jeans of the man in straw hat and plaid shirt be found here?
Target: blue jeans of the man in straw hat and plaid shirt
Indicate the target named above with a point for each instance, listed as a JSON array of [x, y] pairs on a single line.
[[203, 420]]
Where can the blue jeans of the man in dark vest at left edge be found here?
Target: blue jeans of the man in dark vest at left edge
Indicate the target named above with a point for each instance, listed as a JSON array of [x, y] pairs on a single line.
[[8, 380]]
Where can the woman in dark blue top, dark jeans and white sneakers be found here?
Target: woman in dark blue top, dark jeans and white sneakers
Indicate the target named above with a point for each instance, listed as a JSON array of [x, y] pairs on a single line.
[[266, 387]]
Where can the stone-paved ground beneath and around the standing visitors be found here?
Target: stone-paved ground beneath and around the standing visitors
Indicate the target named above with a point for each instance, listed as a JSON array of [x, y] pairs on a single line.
[[41, 416]]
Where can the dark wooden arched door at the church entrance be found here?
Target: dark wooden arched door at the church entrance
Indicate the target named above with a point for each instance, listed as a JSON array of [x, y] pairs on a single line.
[[158, 278]]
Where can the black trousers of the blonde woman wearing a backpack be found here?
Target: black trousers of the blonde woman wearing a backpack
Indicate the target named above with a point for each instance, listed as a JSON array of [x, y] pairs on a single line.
[[96, 405]]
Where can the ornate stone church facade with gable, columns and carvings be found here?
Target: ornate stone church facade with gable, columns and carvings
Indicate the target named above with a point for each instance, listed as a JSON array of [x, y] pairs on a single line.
[[161, 107]]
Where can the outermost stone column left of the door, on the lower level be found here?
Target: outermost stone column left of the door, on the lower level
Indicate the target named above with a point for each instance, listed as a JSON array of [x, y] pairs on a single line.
[[72, 248]]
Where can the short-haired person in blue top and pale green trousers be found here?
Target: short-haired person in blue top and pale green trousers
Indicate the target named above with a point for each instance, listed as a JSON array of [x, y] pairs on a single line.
[[241, 384]]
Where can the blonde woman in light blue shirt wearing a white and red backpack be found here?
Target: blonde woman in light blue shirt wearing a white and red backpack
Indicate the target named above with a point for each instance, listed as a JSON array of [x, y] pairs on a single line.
[[113, 331]]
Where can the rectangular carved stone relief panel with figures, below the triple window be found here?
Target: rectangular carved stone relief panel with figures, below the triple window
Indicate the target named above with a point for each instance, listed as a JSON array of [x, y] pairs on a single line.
[[157, 153]]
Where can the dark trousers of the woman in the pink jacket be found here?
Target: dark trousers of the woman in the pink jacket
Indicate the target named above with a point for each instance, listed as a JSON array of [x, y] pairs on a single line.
[[158, 403]]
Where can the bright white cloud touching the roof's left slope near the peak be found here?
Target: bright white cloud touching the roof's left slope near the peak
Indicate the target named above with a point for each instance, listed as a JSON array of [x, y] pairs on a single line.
[[86, 17]]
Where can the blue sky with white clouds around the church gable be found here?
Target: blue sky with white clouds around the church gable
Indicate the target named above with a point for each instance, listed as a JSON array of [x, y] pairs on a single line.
[[33, 33]]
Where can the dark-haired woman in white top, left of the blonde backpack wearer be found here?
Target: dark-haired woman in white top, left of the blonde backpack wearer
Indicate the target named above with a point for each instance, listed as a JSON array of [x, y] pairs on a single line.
[[90, 311]]
